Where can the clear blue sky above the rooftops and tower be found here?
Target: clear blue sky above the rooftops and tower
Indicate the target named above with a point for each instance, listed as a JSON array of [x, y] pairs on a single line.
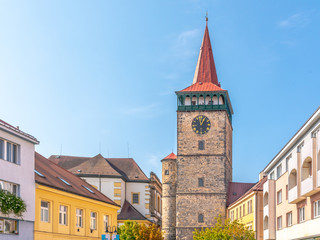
[[100, 76]]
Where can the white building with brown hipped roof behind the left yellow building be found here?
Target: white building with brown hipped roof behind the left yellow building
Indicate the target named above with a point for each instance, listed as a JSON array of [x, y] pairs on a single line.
[[123, 181]]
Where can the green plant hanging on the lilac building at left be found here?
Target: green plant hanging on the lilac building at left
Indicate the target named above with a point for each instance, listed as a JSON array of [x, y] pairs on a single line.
[[10, 203]]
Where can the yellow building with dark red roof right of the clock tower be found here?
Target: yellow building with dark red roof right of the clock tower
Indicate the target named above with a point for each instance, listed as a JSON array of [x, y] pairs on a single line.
[[245, 204]]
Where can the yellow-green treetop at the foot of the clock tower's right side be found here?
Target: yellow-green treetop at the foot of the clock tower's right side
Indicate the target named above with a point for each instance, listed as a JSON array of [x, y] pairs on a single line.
[[225, 230]]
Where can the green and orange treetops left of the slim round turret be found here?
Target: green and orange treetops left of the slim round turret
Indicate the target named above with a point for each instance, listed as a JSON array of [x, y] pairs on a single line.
[[133, 231]]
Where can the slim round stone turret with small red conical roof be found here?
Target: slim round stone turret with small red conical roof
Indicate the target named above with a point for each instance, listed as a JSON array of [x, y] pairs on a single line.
[[169, 176]]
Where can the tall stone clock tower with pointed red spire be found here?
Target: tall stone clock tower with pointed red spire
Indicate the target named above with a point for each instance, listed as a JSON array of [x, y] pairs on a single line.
[[204, 151]]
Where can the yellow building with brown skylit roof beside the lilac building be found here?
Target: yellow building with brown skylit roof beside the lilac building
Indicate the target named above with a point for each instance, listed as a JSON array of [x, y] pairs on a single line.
[[66, 207]]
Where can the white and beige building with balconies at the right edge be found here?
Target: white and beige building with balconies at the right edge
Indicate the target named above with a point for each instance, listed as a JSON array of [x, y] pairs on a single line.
[[292, 192]]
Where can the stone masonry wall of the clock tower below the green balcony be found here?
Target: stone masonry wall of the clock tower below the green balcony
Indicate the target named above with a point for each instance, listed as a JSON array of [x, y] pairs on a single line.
[[213, 164]]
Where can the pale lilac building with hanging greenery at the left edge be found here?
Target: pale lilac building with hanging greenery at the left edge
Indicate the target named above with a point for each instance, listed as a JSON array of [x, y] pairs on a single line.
[[17, 176]]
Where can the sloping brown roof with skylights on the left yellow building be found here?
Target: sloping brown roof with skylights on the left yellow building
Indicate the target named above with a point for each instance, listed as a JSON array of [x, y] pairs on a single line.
[[53, 174]]
